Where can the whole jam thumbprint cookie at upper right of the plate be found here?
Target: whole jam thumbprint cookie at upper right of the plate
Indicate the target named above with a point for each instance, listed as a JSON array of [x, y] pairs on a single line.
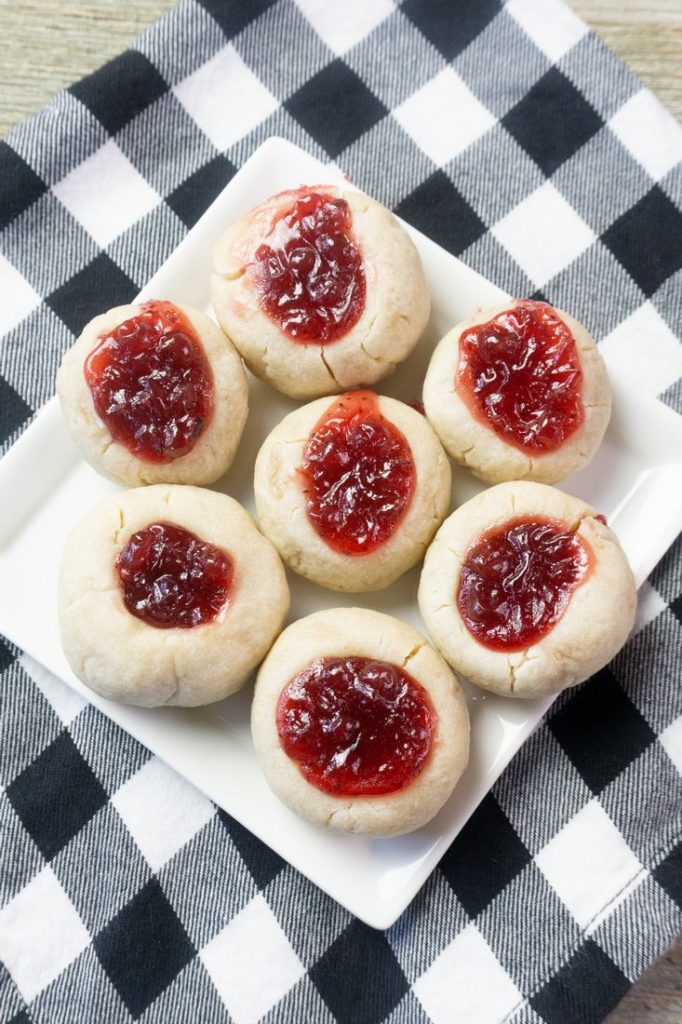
[[519, 393]]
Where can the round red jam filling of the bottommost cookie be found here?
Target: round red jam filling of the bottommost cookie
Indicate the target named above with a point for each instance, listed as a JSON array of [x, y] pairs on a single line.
[[357, 728]]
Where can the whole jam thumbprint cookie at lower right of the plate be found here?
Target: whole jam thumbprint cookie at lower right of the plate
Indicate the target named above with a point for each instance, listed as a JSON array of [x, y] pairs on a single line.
[[527, 591]]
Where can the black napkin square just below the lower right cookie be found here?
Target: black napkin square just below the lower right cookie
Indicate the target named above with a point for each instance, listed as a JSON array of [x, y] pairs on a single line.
[[602, 731]]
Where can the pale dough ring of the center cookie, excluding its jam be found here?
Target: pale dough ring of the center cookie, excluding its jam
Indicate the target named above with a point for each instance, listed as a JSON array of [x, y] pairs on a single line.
[[282, 503]]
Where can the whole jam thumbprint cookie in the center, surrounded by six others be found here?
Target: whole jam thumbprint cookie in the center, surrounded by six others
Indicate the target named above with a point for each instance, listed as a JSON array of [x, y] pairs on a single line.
[[352, 490]]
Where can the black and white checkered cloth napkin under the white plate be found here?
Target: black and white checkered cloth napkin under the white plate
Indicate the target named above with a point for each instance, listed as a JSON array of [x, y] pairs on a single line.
[[517, 141]]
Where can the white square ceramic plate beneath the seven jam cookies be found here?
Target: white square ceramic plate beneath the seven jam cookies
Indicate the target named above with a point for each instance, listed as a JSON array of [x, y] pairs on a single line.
[[635, 480]]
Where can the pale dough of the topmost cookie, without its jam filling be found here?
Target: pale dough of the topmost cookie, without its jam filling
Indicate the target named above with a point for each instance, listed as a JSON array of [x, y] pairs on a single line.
[[397, 310]]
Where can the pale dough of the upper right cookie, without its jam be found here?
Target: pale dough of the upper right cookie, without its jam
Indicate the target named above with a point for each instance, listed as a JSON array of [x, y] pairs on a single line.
[[477, 446]]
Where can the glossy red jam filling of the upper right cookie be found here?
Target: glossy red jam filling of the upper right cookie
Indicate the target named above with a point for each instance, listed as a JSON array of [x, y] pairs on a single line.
[[521, 374]]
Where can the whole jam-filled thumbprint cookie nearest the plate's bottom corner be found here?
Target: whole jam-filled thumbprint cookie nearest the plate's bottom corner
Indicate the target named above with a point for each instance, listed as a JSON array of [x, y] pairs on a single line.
[[359, 723]]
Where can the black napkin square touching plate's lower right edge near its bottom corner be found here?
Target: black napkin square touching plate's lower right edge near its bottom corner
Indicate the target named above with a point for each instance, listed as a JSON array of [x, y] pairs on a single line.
[[485, 858]]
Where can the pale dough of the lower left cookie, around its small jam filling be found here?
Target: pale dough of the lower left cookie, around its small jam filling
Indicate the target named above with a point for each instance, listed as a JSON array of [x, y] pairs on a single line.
[[123, 658]]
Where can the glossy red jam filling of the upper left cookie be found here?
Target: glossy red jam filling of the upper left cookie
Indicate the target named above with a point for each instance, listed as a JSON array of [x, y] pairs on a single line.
[[152, 383]]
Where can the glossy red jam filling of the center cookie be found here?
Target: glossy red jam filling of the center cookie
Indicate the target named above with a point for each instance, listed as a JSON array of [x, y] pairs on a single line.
[[359, 476]]
